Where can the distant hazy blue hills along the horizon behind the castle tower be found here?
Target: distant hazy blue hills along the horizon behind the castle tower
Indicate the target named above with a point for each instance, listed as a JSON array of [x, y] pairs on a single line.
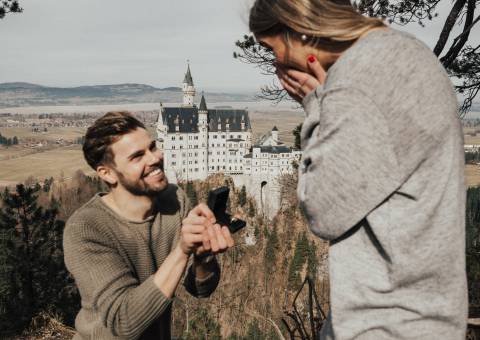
[[27, 94]]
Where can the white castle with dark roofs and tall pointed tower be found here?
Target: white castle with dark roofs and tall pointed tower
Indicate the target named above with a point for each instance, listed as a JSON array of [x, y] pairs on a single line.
[[198, 142]]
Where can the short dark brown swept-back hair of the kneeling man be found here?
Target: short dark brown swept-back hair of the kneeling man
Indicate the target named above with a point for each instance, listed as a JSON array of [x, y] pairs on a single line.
[[103, 133]]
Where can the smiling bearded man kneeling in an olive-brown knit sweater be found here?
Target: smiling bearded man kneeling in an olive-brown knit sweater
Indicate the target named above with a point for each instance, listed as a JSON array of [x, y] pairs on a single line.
[[128, 249]]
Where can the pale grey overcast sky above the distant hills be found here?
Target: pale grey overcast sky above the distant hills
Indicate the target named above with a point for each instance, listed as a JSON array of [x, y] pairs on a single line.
[[86, 42]]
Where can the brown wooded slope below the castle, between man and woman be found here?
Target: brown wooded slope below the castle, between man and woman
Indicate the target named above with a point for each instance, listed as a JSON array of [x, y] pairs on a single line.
[[259, 281]]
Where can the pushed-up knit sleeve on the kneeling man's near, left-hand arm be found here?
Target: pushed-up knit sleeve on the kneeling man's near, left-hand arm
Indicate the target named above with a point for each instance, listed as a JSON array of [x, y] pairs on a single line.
[[107, 284]]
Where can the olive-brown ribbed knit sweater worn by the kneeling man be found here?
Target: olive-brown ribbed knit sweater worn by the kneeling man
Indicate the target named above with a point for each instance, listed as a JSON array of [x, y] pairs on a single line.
[[113, 261]]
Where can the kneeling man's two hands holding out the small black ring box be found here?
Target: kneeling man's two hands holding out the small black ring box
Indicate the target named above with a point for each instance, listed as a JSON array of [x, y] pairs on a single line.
[[199, 234]]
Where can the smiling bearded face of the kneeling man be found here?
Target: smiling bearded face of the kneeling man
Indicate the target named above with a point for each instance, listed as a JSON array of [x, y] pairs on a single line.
[[138, 164]]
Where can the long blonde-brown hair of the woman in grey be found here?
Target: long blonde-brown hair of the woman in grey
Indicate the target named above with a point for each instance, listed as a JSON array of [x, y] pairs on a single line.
[[331, 22]]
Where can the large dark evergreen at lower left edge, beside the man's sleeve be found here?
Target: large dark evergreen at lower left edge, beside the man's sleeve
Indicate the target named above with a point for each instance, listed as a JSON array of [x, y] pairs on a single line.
[[34, 276]]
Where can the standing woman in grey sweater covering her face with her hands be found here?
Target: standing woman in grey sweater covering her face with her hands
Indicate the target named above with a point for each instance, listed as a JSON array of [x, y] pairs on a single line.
[[382, 169]]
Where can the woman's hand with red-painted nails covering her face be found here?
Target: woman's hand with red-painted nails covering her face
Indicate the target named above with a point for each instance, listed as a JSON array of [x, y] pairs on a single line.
[[299, 84]]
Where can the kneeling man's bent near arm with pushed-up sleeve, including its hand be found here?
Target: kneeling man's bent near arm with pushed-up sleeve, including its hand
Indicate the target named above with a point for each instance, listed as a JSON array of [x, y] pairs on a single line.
[[108, 285]]
